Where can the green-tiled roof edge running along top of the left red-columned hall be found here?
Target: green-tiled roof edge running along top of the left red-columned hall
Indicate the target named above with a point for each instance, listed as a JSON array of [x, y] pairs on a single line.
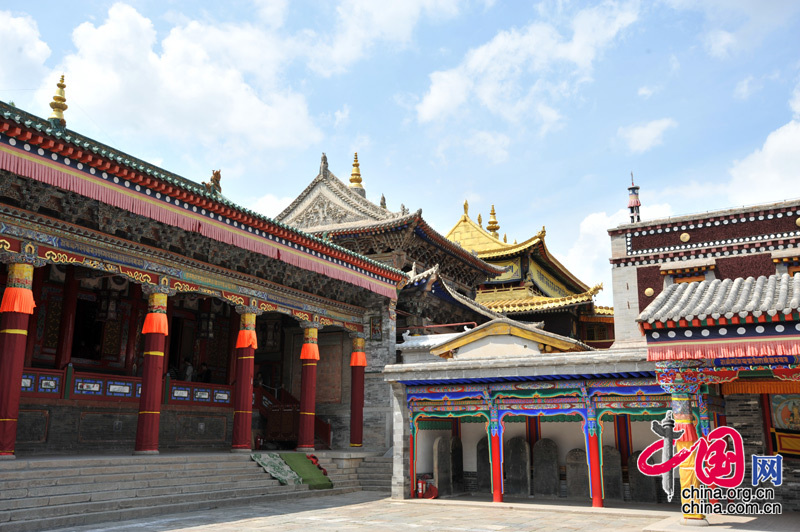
[[195, 191]]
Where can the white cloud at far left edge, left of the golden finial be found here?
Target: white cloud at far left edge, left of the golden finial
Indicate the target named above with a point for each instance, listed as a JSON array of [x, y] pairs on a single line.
[[24, 54]]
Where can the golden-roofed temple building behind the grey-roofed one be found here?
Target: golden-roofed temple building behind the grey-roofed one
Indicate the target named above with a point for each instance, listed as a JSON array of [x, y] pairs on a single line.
[[535, 285]]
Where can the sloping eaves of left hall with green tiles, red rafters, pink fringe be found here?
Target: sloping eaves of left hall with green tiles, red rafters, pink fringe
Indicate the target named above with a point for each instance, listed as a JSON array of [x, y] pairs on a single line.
[[97, 171]]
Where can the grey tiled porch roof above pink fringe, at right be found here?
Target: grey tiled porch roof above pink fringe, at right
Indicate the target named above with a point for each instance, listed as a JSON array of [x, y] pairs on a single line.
[[725, 298]]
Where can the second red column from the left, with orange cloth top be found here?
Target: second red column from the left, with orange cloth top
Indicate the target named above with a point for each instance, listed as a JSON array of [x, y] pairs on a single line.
[[155, 332]]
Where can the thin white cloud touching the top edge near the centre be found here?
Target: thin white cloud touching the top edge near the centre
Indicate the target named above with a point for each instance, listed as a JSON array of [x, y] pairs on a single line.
[[361, 24]]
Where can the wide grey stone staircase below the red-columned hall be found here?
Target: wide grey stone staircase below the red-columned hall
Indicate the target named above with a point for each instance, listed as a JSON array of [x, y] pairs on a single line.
[[49, 493]]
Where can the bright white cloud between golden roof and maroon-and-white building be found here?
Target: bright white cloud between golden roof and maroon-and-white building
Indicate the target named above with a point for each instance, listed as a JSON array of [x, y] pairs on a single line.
[[589, 254]]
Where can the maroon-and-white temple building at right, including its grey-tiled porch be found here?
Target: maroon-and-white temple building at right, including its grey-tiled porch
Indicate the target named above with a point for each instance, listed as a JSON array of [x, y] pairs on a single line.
[[712, 299]]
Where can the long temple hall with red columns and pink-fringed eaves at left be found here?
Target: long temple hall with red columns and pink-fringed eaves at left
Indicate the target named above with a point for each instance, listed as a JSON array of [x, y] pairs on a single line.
[[135, 302]]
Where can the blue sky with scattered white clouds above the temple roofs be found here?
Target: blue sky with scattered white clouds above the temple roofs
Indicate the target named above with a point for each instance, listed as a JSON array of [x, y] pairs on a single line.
[[540, 108]]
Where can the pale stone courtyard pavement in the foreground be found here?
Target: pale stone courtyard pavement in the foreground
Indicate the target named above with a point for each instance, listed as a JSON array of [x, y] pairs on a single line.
[[375, 512]]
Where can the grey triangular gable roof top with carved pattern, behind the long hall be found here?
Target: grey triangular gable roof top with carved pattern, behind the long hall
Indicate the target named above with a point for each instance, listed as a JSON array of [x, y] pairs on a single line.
[[328, 201]]
